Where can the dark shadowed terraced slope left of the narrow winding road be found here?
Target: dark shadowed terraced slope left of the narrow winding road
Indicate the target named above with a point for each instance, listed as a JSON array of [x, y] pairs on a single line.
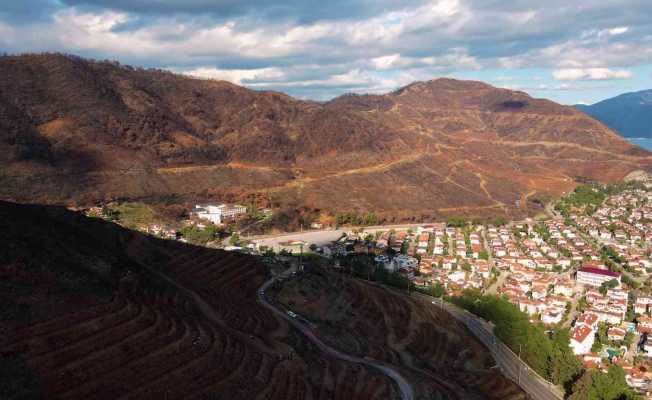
[[86, 315]]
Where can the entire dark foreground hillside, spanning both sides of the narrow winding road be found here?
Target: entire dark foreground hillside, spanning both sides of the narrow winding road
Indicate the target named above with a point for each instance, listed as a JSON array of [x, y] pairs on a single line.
[[89, 309]]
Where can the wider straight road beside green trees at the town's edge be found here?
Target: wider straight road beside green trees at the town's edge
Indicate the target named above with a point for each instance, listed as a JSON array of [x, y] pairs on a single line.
[[509, 363]]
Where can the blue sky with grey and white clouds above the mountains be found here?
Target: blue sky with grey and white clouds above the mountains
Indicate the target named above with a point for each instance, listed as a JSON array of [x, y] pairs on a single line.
[[570, 51]]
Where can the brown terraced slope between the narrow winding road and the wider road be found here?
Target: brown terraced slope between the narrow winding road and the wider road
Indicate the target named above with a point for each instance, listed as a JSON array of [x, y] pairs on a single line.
[[431, 348]]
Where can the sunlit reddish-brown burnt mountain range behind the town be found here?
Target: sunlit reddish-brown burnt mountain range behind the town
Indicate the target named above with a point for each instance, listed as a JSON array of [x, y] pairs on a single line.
[[73, 130]]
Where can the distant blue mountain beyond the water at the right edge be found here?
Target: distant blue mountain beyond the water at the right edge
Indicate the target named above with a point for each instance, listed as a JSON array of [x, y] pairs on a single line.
[[629, 114]]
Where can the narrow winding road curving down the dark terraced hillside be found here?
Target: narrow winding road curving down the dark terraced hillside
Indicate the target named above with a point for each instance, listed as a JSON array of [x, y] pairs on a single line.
[[407, 393]]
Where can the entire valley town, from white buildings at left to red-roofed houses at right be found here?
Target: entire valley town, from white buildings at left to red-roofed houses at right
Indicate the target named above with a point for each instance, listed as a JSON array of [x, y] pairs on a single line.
[[584, 269]]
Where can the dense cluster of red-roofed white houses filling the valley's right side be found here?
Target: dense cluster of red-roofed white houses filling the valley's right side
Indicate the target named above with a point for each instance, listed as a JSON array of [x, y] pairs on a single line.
[[555, 271]]
